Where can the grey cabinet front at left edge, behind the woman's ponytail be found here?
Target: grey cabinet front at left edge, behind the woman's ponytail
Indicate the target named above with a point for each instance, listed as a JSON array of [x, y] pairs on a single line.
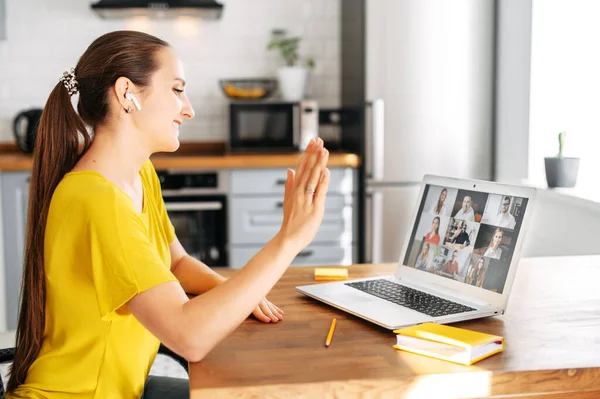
[[15, 196]]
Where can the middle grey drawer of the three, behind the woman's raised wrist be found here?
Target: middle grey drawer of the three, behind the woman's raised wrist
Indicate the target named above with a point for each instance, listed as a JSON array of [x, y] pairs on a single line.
[[257, 220]]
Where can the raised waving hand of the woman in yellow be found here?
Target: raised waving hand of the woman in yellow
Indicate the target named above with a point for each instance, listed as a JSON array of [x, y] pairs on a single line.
[[304, 198]]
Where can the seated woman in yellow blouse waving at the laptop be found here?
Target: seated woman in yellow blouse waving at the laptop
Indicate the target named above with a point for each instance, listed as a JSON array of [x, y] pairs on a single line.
[[105, 278]]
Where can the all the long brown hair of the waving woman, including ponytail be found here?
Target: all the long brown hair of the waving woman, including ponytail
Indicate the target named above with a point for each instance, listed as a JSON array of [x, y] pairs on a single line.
[[62, 138]]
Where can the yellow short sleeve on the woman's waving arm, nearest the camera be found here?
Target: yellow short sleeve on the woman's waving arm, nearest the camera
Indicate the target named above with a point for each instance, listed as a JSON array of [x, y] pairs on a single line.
[[124, 261]]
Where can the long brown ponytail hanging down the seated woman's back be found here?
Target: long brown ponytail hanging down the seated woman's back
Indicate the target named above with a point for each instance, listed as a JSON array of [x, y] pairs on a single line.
[[61, 139]]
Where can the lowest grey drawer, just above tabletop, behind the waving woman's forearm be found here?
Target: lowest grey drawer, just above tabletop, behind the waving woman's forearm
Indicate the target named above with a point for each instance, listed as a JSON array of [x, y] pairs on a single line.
[[313, 255]]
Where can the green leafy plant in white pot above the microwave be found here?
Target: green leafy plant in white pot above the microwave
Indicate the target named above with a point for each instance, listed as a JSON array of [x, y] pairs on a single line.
[[292, 77]]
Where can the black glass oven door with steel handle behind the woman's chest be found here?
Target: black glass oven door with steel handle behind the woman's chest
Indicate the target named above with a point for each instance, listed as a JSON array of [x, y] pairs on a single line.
[[200, 224]]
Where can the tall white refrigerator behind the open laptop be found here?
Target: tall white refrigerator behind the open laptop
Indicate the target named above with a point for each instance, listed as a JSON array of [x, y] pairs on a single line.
[[429, 82]]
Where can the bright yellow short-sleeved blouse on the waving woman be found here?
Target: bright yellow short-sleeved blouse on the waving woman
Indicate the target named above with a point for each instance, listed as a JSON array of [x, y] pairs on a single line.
[[99, 253]]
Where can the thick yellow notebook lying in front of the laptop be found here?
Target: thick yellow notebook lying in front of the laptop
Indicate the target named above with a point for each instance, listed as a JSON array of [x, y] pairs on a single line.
[[453, 344]]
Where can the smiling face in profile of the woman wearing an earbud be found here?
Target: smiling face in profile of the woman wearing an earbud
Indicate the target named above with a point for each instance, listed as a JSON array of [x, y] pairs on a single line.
[[164, 104]]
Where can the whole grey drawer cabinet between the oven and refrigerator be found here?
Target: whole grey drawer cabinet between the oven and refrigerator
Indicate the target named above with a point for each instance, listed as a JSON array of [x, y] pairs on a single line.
[[256, 213]]
